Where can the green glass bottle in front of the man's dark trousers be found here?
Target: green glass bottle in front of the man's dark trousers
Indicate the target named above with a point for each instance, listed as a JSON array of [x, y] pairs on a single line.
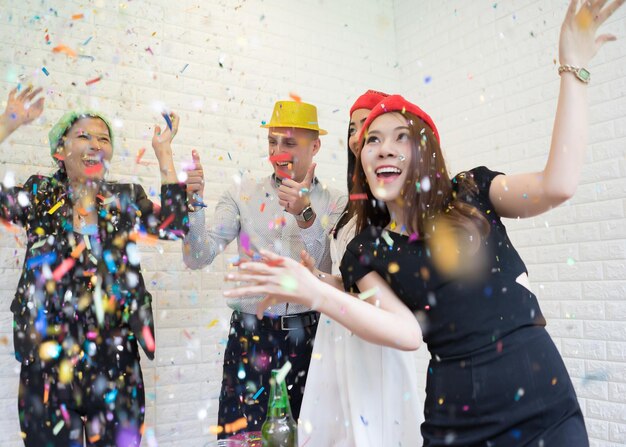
[[279, 428]]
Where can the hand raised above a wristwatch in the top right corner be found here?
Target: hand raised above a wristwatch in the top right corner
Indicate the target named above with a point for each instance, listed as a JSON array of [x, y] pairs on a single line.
[[578, 42]]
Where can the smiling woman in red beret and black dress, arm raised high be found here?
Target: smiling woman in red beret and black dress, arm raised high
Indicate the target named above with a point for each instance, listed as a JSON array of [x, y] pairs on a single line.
[[436, 248]]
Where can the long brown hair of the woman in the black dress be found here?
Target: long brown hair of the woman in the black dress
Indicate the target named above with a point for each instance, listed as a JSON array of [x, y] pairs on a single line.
[[429, 193]]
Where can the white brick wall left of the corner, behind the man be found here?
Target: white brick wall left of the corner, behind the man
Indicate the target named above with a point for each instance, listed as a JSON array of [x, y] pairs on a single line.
[[221, 65]]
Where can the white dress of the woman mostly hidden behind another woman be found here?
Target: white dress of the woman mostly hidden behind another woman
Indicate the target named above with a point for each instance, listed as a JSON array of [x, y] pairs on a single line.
[[358, 393]]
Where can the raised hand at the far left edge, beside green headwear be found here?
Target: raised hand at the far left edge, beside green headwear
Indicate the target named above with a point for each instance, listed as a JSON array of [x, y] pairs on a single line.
[[20, 110]]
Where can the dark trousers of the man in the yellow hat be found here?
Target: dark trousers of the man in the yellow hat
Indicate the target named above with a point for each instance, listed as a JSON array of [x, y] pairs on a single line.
[[254, 348]]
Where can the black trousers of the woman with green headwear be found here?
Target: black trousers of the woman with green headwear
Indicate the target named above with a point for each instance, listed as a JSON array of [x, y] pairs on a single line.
[[101, 399]]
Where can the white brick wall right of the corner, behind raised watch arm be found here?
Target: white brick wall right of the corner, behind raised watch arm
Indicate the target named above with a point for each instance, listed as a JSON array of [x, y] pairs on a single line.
[[492, 93]]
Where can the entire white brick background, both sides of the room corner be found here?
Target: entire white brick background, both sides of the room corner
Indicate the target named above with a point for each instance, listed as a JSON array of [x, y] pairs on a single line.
[[492, 92]]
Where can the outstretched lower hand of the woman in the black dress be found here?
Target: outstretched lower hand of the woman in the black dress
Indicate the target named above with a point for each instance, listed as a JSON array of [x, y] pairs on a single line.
[[279, 278]]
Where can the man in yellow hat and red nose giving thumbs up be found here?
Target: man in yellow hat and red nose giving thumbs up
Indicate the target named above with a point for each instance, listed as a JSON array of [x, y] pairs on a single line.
[[288, 211]]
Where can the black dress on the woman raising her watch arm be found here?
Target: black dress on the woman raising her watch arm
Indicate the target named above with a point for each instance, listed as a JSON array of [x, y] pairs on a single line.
[[495, 377]]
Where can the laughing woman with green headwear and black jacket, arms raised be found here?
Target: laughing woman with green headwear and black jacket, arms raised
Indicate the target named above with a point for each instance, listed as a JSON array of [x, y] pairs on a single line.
[[81, 309]]
